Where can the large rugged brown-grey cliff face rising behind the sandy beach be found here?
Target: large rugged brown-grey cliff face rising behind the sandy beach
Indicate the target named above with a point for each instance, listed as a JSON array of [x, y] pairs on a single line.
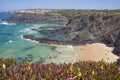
[[94, 27]]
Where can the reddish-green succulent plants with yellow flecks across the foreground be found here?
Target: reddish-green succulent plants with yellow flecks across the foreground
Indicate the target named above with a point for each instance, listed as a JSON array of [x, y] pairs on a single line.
[[89, 70]]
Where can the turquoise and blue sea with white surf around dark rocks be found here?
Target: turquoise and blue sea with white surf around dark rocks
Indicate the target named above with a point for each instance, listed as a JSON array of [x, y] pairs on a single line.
[[12, 43]]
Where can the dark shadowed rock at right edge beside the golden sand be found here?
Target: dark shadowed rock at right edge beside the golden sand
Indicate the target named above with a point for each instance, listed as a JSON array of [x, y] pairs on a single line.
[[117, 45]]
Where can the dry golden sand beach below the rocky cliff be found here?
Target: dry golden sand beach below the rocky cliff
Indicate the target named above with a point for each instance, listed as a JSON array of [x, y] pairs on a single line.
[[94, 52]]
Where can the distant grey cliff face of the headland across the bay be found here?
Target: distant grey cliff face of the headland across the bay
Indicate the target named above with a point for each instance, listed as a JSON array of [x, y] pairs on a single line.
[[25, 17]]
